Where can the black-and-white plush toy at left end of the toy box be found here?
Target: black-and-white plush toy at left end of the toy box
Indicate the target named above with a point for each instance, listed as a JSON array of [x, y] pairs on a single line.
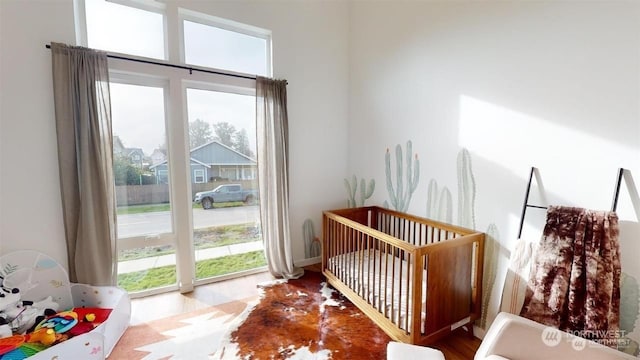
[[19, 316]]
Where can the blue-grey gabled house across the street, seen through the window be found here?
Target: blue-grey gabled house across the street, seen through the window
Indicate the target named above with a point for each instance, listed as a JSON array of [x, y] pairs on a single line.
[[213, 161]]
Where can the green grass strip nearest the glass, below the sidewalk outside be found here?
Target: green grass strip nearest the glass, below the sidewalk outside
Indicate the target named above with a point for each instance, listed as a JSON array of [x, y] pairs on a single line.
[[166, 275]]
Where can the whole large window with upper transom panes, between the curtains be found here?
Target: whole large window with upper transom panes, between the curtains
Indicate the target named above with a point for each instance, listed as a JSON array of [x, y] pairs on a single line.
[[178, 134]]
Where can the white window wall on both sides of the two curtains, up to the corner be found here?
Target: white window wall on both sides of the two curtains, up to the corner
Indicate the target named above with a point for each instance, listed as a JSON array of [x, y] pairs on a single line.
[[309, 50]]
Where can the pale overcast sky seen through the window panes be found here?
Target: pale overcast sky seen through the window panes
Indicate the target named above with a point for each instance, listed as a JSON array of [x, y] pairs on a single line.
[[137, 111]]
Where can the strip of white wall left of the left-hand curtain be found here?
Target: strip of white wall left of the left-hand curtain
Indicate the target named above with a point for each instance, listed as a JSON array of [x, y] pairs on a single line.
[[30, 206]]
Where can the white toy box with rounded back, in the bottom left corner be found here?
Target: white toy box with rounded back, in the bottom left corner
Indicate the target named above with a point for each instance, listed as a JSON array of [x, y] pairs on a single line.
[[39, 276]]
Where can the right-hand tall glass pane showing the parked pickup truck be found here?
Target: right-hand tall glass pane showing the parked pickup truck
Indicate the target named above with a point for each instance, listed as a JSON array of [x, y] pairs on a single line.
[[224, 184]]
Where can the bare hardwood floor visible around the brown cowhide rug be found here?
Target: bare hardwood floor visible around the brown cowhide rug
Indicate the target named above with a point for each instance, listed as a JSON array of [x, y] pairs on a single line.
[[457, 346]]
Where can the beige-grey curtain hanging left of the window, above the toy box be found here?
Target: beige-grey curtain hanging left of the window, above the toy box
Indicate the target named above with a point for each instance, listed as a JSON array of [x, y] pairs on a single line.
[[83, 125]]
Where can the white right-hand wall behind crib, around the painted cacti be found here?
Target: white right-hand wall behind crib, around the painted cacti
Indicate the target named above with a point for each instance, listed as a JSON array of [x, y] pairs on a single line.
[[549, 84]]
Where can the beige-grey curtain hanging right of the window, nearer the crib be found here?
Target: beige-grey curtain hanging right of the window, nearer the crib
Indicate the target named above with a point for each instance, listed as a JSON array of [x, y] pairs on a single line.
[[272, 130]]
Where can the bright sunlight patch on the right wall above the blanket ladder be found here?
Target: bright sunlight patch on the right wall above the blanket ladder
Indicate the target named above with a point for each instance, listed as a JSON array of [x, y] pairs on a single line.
[[579, 168]]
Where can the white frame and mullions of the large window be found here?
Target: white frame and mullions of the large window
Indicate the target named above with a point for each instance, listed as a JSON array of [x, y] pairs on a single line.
[[176, 120]]
